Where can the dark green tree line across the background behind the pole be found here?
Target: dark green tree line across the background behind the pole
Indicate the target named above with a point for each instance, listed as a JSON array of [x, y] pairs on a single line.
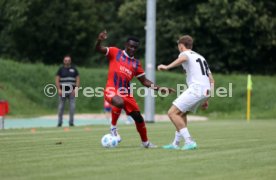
[[234, 36]]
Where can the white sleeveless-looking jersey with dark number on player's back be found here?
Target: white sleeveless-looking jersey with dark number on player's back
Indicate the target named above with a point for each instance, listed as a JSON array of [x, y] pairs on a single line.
[[196, 68]]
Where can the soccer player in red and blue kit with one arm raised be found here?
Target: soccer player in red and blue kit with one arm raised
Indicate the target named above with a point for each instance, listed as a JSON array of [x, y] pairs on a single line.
[[122, 68]]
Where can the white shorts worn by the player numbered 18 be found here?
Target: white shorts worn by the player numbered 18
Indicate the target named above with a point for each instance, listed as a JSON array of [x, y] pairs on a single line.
[[193, 97]]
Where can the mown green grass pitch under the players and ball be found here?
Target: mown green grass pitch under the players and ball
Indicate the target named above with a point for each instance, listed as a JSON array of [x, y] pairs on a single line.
[[227, 150]]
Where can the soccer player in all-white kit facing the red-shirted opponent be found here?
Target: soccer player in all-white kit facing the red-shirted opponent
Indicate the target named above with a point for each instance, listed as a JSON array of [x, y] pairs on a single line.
[[199, 80]]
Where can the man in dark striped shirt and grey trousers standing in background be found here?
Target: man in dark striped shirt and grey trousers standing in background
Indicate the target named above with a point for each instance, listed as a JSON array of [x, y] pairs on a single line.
[[67, 79]]
